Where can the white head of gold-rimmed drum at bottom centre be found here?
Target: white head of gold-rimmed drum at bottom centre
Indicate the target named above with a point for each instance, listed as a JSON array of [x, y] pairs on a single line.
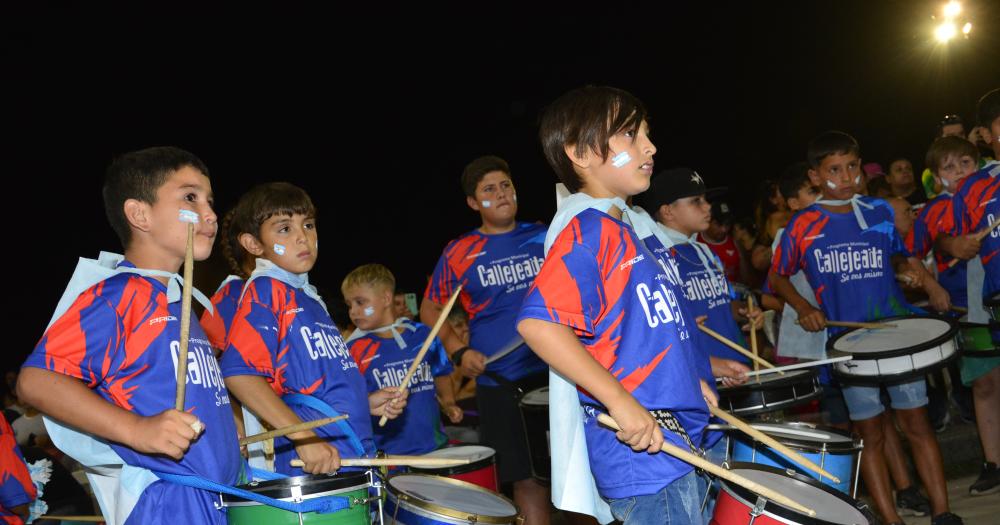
[[451, 497]]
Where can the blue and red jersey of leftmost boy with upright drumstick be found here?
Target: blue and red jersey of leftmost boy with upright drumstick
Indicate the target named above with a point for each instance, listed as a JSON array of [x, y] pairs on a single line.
[[120, 337]]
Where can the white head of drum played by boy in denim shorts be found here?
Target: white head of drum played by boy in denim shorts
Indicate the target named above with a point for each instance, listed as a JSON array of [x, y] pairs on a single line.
[[911, 334]]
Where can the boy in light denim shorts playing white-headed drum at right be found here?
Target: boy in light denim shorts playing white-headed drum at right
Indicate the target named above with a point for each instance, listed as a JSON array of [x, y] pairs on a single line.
[[848, 247]]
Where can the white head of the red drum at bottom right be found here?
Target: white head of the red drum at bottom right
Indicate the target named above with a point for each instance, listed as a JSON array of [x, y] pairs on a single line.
[[831, 506]]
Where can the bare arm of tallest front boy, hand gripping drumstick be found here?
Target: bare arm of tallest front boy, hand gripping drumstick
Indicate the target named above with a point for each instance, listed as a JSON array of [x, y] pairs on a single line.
[[559, 347]]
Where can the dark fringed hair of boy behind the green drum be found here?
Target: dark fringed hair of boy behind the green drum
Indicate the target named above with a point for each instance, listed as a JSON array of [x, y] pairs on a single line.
[[265, 201]]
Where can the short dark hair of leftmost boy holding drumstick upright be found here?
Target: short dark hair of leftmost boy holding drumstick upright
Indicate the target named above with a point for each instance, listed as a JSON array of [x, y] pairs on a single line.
[[138, 175]]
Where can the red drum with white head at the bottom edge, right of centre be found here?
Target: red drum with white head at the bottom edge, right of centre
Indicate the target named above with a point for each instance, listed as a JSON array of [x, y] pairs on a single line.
[[739, 506]]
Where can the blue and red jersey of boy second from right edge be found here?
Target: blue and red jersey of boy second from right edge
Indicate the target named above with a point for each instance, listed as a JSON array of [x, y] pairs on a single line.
[[936, 217]]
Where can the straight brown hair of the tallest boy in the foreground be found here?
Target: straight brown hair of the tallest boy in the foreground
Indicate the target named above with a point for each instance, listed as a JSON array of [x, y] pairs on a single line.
[[586, 117]]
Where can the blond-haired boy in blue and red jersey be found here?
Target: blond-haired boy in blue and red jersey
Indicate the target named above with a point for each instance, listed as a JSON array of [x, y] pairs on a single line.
[[384, 348]]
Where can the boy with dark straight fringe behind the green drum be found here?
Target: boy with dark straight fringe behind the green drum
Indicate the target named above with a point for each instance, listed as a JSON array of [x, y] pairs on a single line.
[[285, 359]]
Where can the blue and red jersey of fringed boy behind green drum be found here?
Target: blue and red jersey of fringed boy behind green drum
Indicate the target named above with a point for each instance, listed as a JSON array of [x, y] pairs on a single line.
[[284, 335]]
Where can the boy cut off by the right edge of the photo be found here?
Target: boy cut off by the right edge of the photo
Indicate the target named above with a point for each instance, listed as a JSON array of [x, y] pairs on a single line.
[[976, 208]]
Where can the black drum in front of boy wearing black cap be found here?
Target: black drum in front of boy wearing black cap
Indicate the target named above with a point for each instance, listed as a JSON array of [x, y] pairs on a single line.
[[773, 392]]
